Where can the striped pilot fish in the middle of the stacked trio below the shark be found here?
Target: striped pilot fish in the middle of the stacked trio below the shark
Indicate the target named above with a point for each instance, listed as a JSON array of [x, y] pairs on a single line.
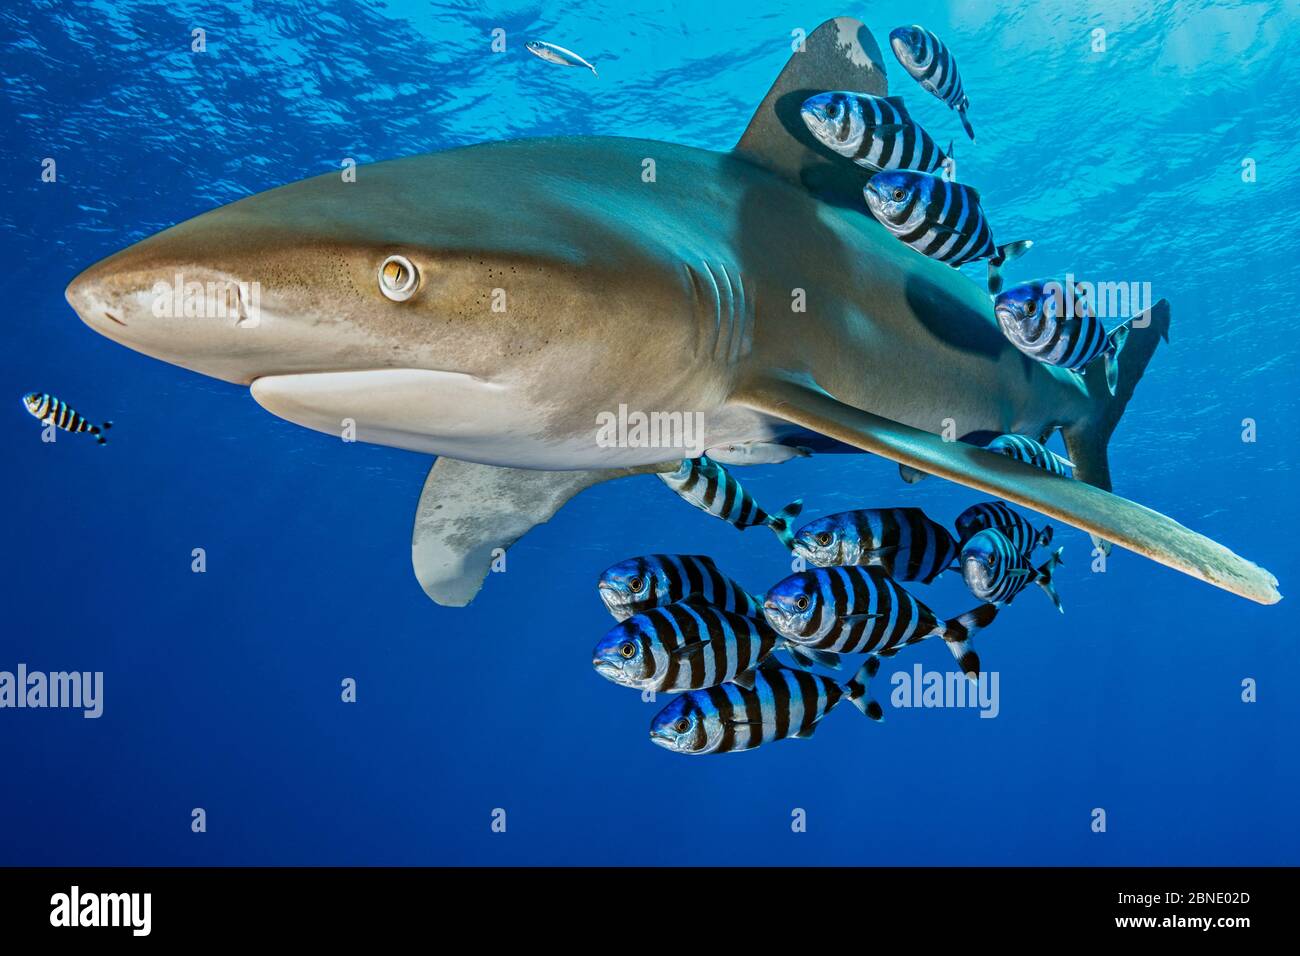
[[683, 647]]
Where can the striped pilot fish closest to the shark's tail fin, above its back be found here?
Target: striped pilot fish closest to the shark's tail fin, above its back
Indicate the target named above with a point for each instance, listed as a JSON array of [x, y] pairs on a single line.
[[1054, 322]]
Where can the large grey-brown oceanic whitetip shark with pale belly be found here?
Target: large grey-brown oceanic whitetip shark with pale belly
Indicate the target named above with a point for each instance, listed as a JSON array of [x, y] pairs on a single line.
[[666, 293]]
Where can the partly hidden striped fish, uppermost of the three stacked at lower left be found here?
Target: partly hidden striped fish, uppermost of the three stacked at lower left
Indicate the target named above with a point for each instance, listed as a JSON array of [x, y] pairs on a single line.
[[653, 581]]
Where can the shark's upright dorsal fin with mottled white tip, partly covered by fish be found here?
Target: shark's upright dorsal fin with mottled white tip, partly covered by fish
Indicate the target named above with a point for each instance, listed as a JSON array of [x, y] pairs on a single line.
[[839, 55]]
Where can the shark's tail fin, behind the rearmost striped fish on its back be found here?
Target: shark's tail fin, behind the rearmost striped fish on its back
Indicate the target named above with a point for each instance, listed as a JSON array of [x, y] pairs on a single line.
[[1087, 440]]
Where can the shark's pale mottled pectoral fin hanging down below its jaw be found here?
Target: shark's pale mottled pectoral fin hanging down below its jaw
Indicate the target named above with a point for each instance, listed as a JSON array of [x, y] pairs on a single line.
[[470, 514]]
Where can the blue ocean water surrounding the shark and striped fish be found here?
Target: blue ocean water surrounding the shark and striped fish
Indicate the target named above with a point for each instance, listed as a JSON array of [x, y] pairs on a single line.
[[222, 690]]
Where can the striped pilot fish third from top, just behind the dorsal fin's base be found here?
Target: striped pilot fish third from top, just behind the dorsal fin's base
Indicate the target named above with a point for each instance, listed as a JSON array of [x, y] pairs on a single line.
[[939, 219]]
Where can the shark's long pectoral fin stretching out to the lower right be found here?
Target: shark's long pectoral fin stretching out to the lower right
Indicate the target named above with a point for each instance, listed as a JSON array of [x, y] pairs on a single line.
[[1076, 503]]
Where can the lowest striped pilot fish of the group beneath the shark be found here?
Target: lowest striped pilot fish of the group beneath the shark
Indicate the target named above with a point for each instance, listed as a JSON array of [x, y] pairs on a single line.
[[783, 703]]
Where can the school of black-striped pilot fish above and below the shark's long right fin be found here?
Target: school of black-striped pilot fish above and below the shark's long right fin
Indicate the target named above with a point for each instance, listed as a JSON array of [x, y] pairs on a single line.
[[686, 628]]
